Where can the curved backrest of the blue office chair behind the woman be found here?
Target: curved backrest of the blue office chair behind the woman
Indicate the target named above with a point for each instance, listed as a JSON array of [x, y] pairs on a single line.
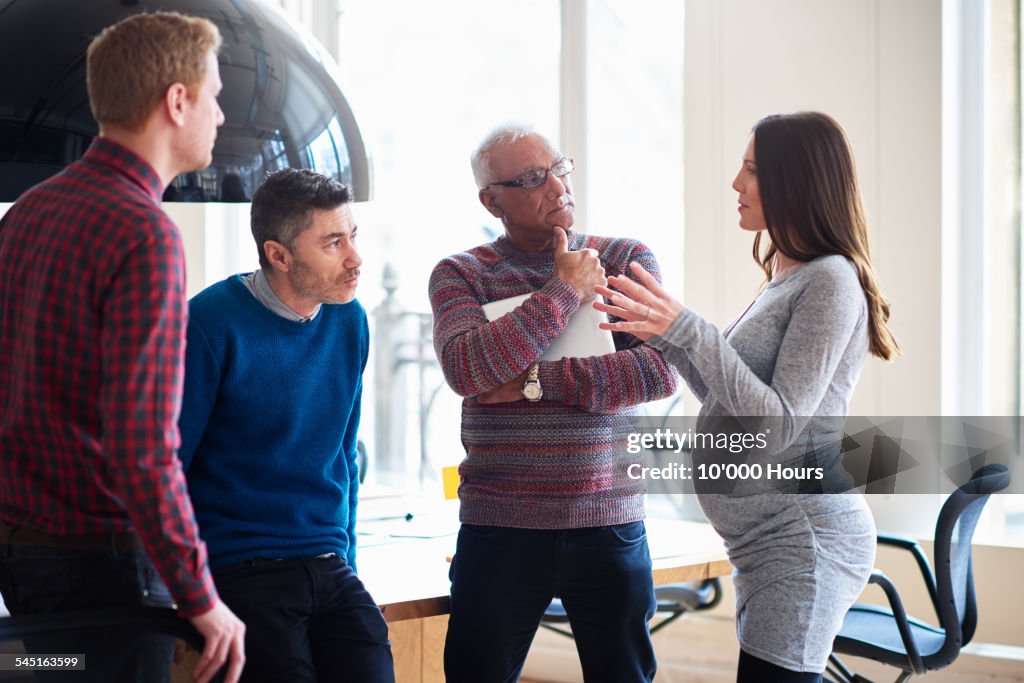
[[957, 607]]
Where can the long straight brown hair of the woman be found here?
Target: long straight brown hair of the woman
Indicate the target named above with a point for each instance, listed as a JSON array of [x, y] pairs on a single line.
[[808, 187]]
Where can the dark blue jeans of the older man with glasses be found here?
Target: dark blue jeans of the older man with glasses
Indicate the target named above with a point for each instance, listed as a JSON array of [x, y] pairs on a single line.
[[504, 579]]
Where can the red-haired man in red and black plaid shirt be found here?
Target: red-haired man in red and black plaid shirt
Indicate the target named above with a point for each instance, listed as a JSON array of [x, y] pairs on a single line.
[[94, 506]]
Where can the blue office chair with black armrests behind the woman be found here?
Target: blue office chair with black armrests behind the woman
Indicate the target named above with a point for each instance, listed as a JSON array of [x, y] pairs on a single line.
[[893, 638]]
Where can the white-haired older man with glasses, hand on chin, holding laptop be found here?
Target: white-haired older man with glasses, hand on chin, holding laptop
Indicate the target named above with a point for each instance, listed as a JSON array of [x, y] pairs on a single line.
[[545, 509]]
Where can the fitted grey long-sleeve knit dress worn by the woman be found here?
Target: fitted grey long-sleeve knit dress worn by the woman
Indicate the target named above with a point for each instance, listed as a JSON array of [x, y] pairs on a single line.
[[794, 357]]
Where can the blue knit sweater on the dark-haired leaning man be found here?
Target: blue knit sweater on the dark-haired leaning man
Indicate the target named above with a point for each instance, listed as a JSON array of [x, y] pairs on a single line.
[[269, 426]]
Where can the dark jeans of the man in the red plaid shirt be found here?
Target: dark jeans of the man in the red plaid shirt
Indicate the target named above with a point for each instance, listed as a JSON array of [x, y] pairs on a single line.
[[36, 580]]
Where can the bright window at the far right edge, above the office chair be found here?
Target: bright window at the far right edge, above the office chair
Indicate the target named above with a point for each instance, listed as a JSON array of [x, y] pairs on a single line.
[[983, 137]]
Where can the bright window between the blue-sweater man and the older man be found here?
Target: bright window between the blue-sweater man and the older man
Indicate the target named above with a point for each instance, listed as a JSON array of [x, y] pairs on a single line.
[[428, 86]]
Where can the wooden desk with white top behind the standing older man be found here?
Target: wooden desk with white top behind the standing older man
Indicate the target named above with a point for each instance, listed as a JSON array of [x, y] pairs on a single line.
[[409, 580]]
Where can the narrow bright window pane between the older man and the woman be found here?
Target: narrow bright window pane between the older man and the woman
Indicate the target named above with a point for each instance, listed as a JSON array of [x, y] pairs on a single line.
[[635, 127]]
